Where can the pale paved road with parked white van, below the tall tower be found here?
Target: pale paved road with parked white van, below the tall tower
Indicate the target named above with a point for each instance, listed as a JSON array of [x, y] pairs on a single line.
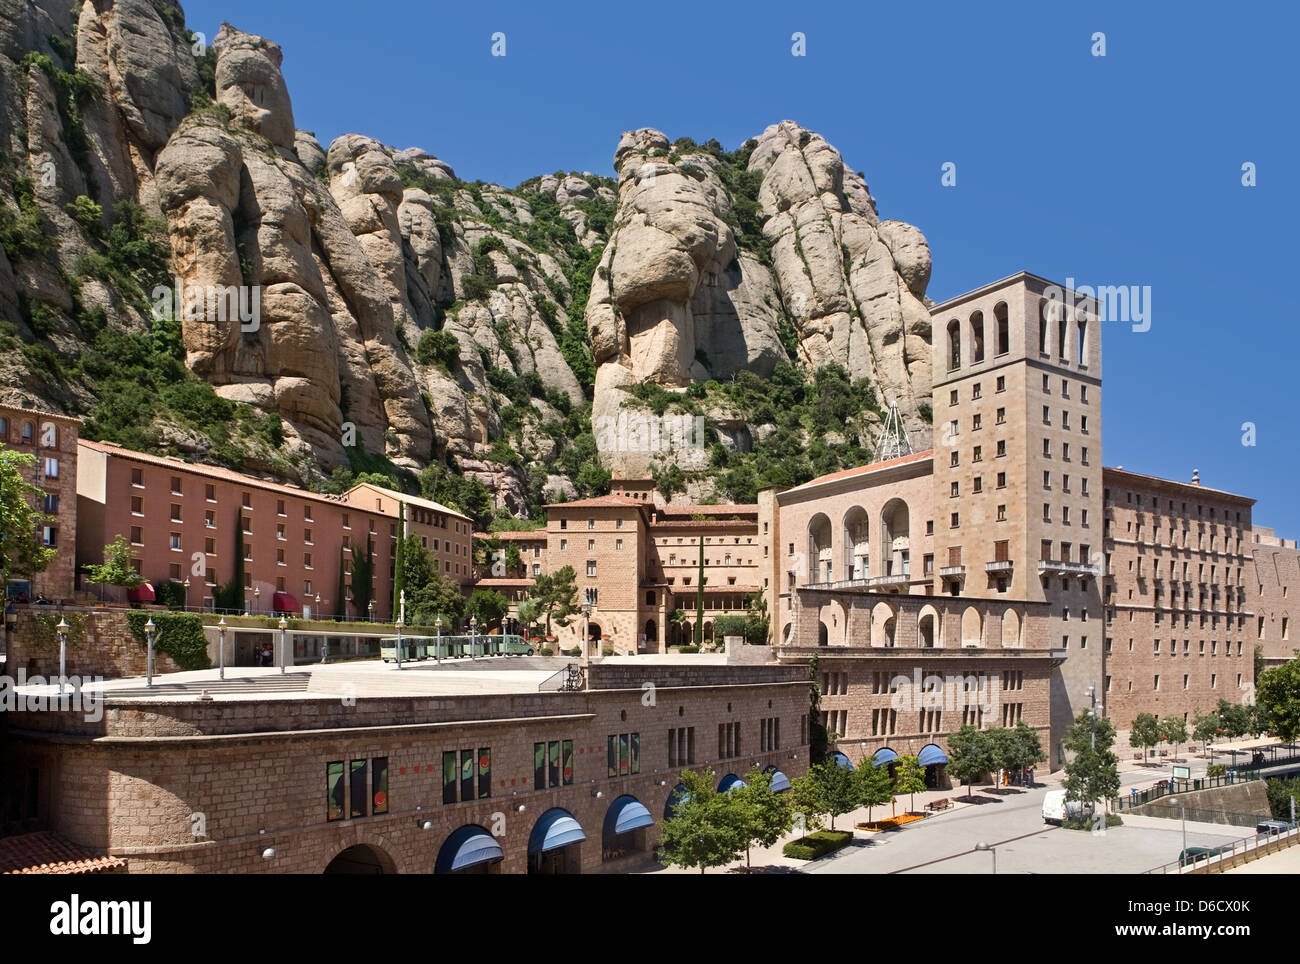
[[1013, 824]]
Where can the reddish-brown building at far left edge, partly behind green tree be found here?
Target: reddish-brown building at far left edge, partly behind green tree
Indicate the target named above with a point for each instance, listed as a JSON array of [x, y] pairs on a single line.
[[53, 438]]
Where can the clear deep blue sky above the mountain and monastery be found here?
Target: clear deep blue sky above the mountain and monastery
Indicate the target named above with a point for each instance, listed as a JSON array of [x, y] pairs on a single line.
[[1124, 170]]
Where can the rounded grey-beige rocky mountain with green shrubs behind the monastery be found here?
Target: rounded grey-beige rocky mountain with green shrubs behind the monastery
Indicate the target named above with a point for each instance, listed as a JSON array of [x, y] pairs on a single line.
[[193, 273]]
